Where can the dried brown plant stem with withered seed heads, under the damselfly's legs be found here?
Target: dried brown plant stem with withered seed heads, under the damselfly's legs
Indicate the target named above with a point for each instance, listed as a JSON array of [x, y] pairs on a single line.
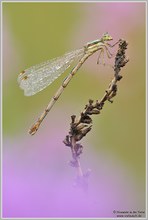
[[80, 126]]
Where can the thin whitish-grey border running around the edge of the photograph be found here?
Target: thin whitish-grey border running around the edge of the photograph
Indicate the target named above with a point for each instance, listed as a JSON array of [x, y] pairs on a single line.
[[1, 90]]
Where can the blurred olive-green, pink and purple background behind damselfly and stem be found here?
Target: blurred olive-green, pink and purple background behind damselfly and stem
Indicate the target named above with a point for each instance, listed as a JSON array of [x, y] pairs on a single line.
[[37, 180]]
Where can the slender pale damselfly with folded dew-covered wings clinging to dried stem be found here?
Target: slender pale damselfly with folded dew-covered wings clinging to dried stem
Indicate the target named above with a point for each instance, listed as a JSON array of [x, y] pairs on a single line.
[[38, 77]]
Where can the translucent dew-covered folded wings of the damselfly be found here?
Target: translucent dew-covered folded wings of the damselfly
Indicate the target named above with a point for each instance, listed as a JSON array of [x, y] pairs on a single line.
[[38, 77]]
